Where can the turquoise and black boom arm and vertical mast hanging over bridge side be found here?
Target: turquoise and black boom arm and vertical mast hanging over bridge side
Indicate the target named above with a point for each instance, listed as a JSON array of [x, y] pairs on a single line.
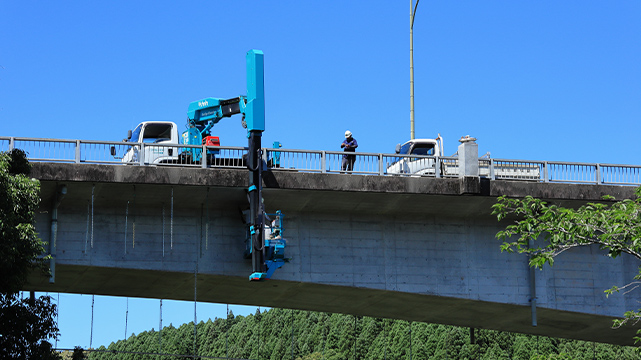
[[204, 114]]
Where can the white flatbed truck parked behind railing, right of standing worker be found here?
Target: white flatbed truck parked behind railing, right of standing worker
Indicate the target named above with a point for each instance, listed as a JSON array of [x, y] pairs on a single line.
[[431, 152]]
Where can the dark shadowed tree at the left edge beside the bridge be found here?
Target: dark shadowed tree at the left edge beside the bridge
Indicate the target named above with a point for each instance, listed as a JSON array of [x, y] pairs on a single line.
[[25, 324]]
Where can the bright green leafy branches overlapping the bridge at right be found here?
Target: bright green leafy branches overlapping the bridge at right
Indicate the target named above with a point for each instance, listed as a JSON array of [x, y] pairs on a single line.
[[615, 227]]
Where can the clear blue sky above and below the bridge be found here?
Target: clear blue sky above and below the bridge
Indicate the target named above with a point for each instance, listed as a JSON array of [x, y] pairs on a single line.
[[537, 80]]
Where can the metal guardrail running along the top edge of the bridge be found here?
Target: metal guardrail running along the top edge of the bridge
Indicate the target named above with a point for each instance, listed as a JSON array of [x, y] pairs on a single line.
[[152, 154]]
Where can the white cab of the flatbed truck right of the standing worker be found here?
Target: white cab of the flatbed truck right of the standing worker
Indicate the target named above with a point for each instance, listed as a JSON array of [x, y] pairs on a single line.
[[418, 166]]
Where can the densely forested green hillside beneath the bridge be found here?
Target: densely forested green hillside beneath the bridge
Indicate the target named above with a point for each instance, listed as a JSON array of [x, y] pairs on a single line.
[[280, 334]]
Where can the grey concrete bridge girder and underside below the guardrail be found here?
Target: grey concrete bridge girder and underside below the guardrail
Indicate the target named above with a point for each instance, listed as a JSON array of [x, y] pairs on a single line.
[[418, 249]]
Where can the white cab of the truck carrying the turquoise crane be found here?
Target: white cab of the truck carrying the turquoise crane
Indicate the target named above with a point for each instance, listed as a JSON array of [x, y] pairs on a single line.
[[152, 133]]
